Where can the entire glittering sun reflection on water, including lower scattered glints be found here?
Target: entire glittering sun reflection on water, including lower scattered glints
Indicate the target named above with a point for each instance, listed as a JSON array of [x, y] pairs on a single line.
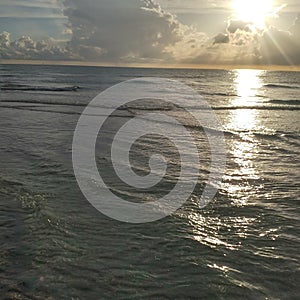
[[242, 179]]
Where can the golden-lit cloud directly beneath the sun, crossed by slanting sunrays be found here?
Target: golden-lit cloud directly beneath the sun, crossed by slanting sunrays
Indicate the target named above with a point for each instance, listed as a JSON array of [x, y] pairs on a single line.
[[242, 44]]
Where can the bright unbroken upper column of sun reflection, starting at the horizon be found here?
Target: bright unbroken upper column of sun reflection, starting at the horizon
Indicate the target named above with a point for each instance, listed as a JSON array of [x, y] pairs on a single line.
[[242, 172]]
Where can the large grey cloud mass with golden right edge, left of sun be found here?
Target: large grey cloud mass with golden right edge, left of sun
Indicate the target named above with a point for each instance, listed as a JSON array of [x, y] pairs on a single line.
[[128, 30]]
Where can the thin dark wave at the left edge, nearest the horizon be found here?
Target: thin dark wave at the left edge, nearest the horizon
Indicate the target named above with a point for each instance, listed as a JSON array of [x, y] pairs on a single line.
[[20, 87]]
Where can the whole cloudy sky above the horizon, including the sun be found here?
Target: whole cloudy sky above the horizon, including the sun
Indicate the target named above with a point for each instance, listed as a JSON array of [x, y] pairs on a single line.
[[152, 32]]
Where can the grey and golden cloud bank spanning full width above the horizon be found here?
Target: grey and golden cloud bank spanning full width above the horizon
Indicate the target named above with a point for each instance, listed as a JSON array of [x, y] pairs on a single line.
[[140, 31]]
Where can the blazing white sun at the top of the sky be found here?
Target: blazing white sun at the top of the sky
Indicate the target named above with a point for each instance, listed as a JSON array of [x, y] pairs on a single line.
[[253, 11]]
